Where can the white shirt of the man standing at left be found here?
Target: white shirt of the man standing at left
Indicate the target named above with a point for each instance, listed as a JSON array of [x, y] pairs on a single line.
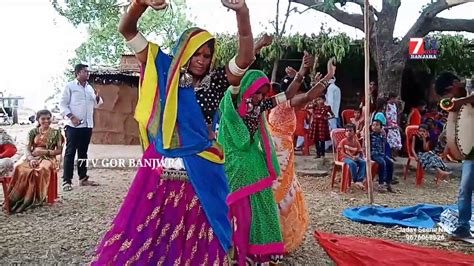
[[79, 101]]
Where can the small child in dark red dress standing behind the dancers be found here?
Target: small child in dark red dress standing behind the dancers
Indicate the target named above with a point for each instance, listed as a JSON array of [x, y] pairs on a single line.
[[320, 126]]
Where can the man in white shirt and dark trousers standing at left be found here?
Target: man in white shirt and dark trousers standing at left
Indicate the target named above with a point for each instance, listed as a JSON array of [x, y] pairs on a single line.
[[78, 102]]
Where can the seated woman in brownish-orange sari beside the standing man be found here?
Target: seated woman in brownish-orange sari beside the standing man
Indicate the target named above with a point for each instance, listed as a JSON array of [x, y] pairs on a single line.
[[31, 178]]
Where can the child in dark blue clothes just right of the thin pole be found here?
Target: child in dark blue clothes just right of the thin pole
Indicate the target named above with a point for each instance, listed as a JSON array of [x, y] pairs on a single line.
[[377, 150]]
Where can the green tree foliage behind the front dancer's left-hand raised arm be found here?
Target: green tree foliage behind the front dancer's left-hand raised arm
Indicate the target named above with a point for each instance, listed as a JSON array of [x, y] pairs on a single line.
[[105, 45]]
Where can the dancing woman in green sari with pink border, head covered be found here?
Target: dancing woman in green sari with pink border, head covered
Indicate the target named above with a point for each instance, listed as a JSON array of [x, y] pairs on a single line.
[[252, 166]]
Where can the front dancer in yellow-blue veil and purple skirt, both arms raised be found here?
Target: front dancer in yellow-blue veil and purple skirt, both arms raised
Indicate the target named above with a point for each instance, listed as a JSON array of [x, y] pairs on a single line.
[[177, 214]]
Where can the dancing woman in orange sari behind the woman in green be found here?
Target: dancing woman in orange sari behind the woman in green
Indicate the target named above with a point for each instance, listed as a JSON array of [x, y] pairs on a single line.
[[287, 190]]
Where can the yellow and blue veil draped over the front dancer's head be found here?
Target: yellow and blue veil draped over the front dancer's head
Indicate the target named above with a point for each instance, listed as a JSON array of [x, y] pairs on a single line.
[[170, 118]]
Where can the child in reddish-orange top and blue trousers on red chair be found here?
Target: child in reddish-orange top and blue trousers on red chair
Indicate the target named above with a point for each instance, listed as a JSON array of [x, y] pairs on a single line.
[[349, 151]]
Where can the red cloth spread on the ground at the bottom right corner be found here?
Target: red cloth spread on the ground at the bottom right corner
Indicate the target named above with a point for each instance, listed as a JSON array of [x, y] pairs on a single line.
[[348, 250]]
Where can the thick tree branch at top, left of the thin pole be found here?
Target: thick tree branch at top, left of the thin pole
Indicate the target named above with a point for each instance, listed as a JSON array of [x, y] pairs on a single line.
[[353, 20]]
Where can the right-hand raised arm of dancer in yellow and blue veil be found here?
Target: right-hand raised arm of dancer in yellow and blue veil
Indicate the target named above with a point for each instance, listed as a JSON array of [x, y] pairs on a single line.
[[236, 68]]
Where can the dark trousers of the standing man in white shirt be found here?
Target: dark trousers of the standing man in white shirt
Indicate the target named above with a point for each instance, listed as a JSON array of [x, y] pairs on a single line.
[[76, 139]]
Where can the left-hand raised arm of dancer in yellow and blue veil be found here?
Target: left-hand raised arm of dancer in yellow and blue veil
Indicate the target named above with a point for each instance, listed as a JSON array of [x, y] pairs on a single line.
[[128, 26]]
